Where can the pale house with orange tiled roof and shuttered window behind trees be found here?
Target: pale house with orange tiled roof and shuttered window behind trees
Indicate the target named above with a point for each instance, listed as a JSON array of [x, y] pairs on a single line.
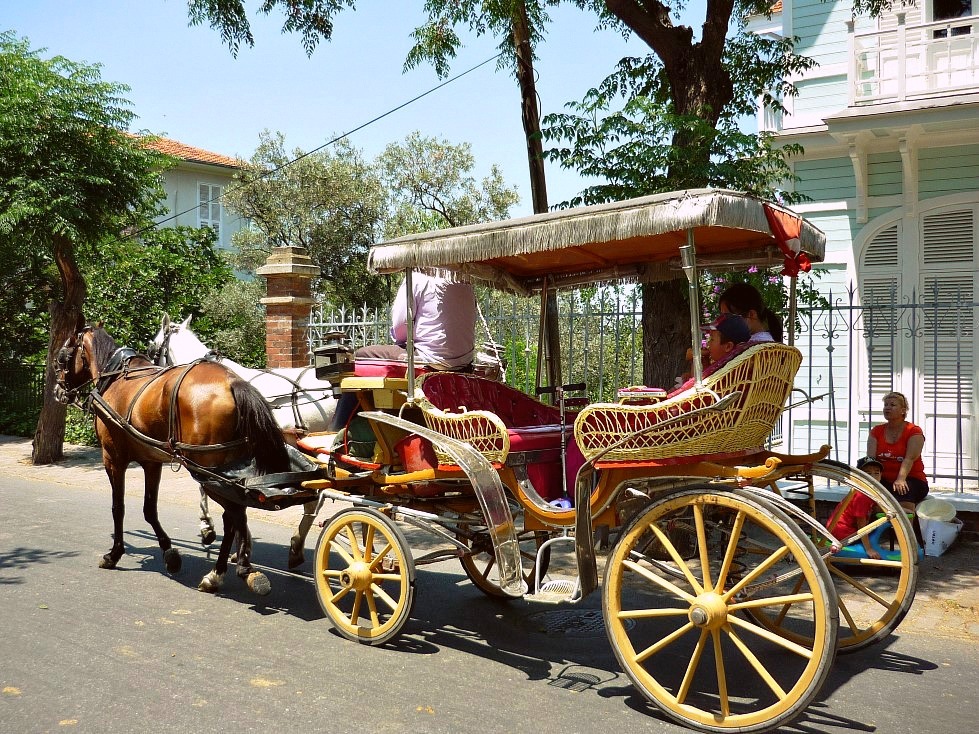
[[194, 189]]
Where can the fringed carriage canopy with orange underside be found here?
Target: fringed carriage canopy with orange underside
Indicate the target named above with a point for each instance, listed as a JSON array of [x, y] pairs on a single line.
[[636, 240]]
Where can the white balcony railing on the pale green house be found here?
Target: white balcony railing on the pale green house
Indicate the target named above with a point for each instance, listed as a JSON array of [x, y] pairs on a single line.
[[914, 61]]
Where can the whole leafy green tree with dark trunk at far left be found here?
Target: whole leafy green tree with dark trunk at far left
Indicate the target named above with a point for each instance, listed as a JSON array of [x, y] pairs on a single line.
[[69, 177]]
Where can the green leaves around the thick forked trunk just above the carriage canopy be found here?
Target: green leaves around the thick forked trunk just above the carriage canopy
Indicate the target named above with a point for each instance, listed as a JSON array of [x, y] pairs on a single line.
[[624, 132]]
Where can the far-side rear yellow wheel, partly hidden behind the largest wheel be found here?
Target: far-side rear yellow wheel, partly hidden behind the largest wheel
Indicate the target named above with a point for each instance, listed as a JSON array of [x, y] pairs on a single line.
[[874, 595]]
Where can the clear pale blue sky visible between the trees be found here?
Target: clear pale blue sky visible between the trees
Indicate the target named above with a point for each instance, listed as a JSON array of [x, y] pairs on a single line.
[[185, 84]]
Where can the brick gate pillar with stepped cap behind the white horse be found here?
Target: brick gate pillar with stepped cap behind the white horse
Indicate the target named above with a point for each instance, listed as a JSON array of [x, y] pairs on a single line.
[[289, 272]]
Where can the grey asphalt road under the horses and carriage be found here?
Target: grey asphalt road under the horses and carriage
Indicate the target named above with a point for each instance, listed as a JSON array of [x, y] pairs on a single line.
[[137, 650]]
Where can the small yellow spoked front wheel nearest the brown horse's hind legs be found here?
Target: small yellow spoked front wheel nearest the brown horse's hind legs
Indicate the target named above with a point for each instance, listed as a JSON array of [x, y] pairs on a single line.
[[365, 576]]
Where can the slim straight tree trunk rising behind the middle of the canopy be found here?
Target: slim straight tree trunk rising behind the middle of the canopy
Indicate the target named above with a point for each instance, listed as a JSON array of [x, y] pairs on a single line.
[[530, 116]]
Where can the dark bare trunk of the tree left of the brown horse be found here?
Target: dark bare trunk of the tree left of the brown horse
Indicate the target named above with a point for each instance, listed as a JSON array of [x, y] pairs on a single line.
[[66, 320]]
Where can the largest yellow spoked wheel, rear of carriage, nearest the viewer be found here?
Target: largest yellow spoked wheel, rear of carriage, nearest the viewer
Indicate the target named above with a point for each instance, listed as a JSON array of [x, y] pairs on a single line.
[[676, 587]]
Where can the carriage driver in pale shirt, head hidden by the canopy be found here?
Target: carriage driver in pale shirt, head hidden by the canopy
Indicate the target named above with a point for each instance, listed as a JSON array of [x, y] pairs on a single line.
[[444, 334]]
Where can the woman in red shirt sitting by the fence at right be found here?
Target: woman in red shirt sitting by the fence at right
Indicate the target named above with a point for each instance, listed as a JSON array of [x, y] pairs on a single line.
[[897, 445]]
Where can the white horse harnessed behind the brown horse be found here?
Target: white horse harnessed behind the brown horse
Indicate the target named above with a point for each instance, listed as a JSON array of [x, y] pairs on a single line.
[[300, 401]]
